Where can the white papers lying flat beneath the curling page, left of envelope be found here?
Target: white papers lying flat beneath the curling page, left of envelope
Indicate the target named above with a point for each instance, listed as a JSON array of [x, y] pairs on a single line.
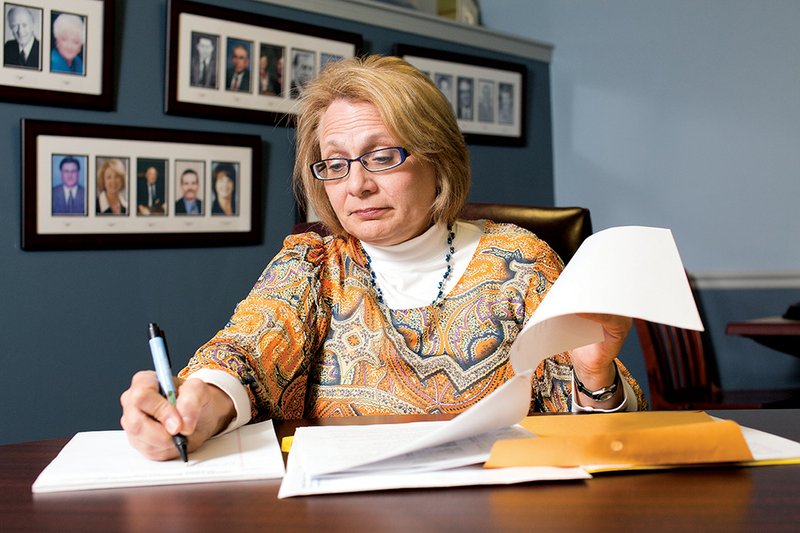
[[324, 459]]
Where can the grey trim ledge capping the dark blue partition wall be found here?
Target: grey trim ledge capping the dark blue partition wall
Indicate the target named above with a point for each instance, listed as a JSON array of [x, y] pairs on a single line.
[[389, 16]]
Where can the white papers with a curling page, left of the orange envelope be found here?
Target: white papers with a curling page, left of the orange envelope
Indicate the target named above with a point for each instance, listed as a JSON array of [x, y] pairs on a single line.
[[328, 459]]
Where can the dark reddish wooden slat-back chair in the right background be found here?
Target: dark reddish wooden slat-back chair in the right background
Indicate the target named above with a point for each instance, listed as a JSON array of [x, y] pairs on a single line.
[[682, 374]]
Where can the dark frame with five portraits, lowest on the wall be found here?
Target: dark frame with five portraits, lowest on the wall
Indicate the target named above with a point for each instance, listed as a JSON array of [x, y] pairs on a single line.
[[91, 186]]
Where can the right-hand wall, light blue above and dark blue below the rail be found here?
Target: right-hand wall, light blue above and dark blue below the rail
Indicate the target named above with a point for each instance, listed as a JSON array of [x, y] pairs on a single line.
[[684, 114]]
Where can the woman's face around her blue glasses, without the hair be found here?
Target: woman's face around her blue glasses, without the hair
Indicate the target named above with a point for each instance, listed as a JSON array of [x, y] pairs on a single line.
[[381, 208]]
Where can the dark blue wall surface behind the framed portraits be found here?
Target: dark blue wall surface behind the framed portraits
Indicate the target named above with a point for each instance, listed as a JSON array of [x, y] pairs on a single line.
[[75, 321]]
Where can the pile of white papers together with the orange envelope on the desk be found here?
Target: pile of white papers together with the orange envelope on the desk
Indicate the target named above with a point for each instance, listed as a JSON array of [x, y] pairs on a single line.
[[332, 459]]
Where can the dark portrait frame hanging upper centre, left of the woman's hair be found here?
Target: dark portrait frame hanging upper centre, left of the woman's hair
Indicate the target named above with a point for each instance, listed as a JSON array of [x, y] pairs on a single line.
[[234, 65]]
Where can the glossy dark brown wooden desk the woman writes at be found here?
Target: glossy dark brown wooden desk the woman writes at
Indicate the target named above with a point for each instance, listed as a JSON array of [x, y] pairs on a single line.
[[722, 499]]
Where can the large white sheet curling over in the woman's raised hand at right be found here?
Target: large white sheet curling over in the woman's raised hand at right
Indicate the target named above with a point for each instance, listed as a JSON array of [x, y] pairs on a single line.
[[630, 271]]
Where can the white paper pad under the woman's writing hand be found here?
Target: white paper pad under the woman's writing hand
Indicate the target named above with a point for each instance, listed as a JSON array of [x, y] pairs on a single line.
[[104, 459]]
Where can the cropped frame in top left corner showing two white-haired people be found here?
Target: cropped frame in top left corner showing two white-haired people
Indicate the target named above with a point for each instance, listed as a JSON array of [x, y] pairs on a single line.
[[58, 53]]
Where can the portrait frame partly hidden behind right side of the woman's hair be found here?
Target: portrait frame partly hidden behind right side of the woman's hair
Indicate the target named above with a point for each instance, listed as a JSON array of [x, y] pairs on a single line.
[[487, 95]]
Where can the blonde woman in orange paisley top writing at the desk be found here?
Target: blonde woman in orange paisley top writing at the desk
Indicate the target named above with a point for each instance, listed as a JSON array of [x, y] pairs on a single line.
[[405, 310]]
